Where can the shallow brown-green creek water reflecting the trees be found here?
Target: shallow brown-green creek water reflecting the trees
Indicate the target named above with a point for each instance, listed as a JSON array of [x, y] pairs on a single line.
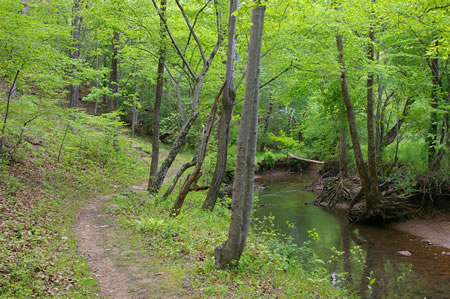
[[363, 252]]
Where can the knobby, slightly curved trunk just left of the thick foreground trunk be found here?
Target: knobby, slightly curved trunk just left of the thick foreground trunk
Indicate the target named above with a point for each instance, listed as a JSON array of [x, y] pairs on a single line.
[[226, 113]]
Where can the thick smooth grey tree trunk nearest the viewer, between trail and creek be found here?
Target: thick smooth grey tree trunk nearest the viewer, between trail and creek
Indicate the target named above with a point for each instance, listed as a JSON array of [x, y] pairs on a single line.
[[228, 253]]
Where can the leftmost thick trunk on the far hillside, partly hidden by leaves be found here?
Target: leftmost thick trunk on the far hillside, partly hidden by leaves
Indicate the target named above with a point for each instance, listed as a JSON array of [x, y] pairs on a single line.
[[75, 52]]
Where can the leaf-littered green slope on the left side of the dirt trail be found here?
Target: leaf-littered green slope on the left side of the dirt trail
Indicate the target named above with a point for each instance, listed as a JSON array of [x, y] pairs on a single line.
[[49, 168]]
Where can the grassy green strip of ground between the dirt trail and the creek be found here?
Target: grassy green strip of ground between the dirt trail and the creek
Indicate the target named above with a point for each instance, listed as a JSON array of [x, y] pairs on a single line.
[[269, 267]]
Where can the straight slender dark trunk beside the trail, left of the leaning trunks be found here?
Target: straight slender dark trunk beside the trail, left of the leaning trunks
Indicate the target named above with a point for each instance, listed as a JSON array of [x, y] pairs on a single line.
[[158, 98]]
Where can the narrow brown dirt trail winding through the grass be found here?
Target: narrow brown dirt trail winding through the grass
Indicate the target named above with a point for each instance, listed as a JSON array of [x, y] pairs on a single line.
[[122, 266]]
